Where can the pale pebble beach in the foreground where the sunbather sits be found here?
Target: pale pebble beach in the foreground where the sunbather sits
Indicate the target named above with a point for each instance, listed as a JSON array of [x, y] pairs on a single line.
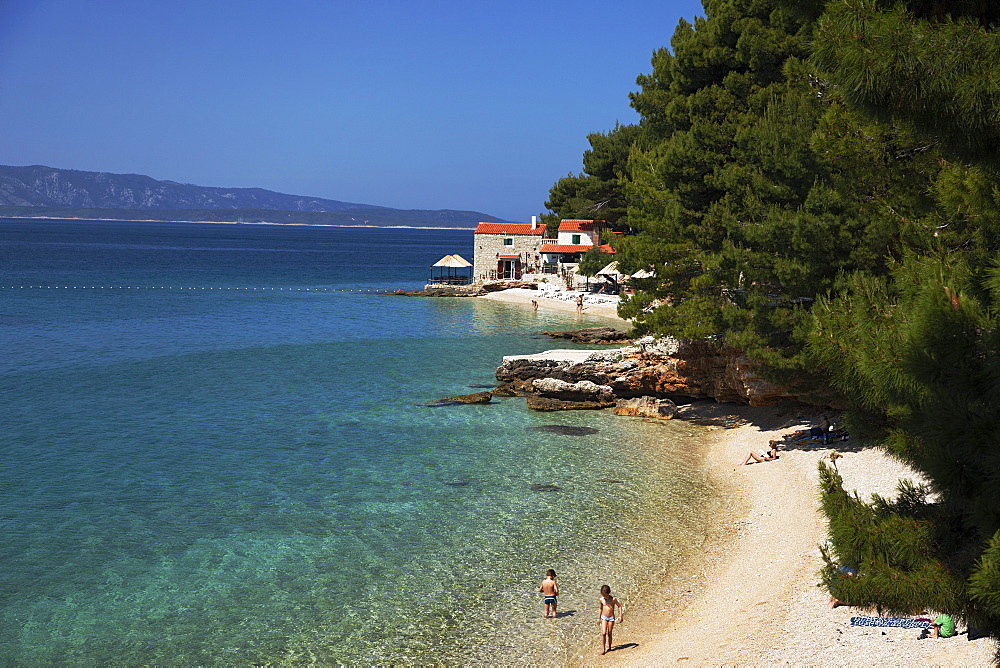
[[758, 603]]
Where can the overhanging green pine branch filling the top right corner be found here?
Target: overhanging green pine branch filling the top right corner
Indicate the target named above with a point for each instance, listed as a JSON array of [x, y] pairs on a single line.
[[932, 65]]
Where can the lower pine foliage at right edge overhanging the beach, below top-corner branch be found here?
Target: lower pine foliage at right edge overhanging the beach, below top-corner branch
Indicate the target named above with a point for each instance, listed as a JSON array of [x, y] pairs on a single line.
[[918, 352]]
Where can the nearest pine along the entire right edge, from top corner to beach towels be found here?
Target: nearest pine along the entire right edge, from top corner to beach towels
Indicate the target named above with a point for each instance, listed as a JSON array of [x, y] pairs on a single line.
[[917, 347]]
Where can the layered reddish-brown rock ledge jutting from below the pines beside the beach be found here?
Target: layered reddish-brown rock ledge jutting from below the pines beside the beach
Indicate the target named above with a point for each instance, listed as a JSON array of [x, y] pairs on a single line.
[[663, 368]]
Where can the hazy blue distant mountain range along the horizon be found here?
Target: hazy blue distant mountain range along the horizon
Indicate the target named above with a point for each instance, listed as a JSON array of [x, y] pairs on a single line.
[[38, 191]]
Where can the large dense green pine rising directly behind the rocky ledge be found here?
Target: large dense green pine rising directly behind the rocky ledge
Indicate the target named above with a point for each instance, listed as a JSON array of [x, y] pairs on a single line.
[[756, 188]]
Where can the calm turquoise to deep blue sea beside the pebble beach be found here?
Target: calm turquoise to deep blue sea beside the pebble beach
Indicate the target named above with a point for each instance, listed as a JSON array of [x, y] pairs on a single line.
[[215, 450]]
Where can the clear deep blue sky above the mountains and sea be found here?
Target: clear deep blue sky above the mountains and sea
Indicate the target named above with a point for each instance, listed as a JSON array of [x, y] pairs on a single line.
[[476, 105]]
